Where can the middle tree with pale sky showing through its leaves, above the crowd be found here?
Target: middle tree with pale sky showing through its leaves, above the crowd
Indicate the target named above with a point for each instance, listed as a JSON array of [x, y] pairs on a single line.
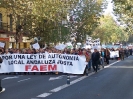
[[85, 18]]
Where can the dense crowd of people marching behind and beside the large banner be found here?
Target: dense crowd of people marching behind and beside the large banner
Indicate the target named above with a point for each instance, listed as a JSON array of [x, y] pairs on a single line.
[[94, 58]]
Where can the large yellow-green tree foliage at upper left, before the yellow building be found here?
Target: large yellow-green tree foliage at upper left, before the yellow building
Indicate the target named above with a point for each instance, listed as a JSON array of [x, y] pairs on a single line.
[[39, 17]]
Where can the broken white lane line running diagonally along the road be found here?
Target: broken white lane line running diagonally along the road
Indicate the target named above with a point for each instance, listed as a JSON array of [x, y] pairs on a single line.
[[71, 83]]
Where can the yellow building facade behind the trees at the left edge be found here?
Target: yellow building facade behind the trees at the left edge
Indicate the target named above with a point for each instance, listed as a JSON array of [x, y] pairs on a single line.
[[8, 32]]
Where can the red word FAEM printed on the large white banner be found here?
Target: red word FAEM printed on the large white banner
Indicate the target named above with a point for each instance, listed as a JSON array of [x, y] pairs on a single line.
[[40, 68]]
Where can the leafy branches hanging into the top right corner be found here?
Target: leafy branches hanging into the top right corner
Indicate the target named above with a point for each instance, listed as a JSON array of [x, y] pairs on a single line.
[[124, 12]]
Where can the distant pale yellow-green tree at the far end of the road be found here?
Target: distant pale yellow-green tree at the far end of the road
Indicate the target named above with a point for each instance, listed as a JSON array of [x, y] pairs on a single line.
[[109, 31]]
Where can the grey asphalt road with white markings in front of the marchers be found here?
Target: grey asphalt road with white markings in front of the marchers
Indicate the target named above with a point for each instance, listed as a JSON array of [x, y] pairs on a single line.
[[113, 82]]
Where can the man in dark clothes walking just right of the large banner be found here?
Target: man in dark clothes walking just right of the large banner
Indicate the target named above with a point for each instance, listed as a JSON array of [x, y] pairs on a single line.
[[95, 59]]
